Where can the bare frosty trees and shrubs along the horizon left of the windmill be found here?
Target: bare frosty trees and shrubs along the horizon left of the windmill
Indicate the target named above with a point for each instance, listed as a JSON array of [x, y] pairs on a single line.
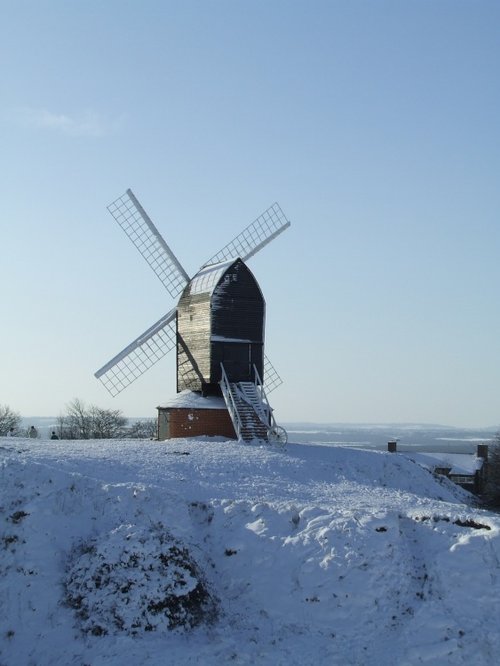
[[81, 421]]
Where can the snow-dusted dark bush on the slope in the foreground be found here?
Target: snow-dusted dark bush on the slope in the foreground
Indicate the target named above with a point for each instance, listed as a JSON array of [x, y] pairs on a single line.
[[137, 579]]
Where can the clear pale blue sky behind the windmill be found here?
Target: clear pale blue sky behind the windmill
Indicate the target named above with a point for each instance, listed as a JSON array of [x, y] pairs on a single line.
[[375, 125]]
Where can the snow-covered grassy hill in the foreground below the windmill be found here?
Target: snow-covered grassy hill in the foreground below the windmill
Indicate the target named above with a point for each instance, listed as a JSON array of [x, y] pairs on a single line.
[[212, 552]]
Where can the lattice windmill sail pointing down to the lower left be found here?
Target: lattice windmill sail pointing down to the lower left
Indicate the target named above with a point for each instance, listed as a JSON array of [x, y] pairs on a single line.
[[139, 355]]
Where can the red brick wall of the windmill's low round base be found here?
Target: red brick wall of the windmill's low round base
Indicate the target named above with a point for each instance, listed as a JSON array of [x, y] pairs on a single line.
[[190, 422]]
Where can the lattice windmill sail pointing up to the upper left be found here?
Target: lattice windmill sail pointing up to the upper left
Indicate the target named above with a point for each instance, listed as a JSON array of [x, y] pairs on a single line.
[[139, 227]]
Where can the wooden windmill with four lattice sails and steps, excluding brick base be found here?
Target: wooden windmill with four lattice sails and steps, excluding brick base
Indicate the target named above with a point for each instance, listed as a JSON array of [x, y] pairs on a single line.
[[217, 326]]
